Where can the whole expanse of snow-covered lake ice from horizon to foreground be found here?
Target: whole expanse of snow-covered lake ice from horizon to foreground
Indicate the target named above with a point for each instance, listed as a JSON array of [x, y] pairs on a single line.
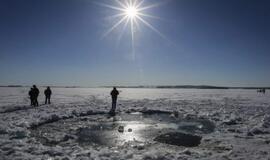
[[241, 119]]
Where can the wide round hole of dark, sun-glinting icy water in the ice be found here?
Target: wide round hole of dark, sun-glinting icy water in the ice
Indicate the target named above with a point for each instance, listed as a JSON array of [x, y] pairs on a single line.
[[99, 130]]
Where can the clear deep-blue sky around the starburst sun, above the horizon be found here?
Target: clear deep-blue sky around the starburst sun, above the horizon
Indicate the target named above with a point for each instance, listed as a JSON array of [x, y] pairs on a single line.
[[209, 42]]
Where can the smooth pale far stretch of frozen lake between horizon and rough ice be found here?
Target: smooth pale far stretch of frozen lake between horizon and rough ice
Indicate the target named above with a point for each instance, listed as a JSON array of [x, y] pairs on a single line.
[[19, 96]]
